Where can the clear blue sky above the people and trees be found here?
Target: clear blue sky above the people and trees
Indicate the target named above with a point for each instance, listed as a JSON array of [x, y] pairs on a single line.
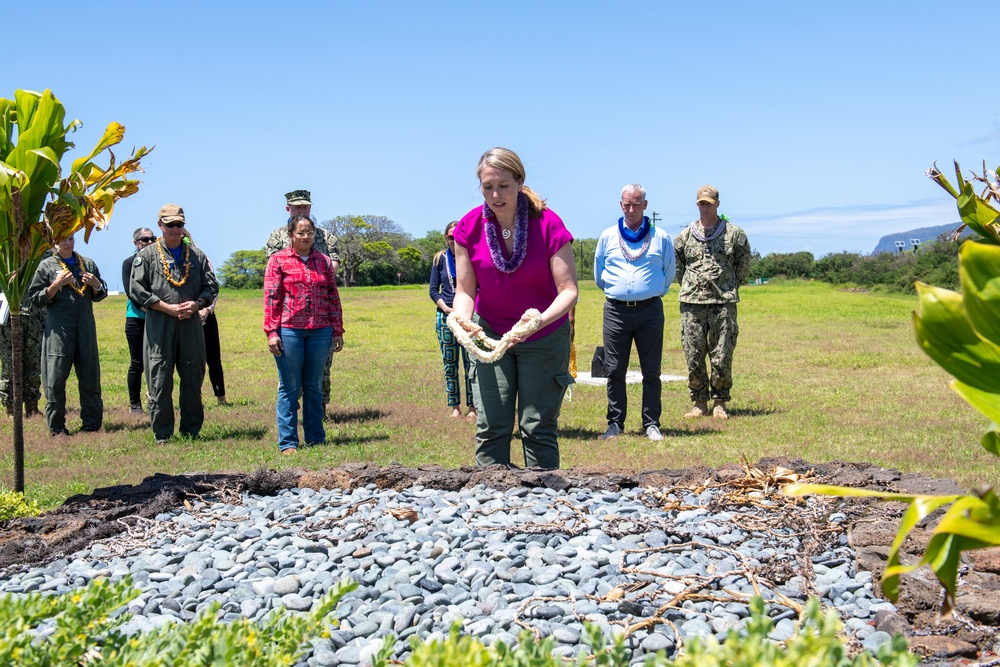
[[816, 121]]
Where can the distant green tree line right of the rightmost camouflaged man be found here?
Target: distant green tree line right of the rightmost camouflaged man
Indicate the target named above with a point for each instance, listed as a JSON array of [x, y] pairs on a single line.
[[935, 263]]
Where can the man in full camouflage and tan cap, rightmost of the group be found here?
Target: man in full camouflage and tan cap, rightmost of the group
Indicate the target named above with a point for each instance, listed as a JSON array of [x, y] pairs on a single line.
[[713, 260]]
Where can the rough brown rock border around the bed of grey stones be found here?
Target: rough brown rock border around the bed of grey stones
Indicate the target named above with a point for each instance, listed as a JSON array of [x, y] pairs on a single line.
[[84, 519]]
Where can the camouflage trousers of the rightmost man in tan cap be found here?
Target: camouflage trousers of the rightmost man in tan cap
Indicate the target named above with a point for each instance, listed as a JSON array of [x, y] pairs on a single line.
[[709, 330]]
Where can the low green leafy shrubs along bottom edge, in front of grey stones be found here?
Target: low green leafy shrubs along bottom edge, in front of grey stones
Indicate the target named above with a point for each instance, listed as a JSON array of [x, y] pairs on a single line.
[[84, 628]]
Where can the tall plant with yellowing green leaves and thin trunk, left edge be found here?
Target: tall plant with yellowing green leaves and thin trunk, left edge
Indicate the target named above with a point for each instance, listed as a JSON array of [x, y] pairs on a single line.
[[40, 205]]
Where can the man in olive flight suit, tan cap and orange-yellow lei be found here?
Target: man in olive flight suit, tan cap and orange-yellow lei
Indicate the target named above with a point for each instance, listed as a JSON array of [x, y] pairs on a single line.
[[173, 280]]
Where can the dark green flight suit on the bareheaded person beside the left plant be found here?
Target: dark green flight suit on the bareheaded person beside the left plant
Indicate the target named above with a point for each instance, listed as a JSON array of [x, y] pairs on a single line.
[[69, 340]]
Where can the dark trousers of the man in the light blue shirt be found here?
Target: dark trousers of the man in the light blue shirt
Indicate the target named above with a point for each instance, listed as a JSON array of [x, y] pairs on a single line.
[[643, 324]]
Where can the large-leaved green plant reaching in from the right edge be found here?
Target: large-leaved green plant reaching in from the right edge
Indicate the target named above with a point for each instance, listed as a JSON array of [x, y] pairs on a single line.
[[961, 332]]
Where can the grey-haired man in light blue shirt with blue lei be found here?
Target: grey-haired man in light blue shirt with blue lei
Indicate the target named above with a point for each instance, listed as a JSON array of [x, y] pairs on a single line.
[[634, 265]]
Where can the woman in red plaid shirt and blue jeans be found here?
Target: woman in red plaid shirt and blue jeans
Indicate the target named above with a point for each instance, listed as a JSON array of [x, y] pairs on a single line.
[[302, 319]]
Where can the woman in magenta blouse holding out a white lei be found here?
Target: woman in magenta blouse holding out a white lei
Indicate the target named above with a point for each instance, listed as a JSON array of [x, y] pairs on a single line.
[[511, 254]]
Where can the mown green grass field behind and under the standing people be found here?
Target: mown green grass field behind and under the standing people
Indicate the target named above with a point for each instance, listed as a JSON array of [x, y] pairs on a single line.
[[821, 374]]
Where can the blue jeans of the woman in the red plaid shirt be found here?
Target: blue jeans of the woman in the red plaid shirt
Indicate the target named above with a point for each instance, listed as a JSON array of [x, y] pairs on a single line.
[[300, 370]]
